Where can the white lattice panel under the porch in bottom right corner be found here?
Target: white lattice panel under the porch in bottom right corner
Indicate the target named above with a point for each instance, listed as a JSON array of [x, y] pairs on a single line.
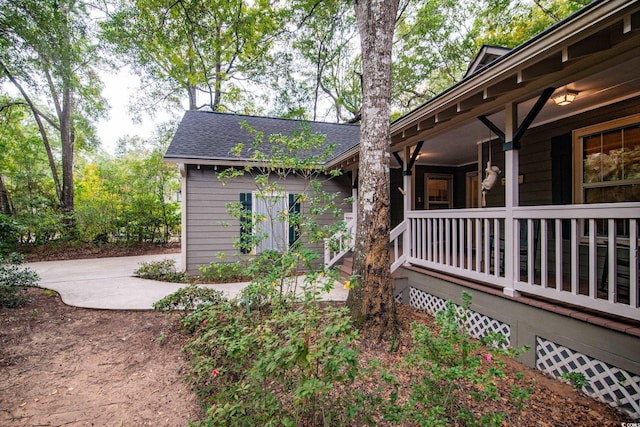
[[606, 383]]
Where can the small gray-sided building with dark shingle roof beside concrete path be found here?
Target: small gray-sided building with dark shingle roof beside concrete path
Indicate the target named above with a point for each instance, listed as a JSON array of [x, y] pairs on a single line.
[[203, 146]]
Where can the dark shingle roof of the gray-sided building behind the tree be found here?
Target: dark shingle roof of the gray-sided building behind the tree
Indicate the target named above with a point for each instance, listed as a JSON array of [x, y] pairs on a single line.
[[204, 135]]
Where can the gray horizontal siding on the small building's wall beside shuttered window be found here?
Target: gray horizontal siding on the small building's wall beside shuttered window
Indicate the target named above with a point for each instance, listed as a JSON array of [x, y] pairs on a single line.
[[211, 231]]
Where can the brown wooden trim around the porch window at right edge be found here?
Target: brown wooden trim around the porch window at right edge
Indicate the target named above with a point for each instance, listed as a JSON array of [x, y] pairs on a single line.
[[578, 161]]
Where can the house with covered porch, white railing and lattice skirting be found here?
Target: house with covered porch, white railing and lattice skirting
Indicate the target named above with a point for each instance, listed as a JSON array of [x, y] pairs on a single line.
[[552, 260]]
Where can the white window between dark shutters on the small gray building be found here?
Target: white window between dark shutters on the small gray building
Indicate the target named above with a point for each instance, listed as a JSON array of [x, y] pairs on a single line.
[[268, 217]]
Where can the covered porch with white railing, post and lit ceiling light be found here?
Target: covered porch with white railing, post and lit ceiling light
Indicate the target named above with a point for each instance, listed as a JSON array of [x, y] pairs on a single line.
[[555, 225]]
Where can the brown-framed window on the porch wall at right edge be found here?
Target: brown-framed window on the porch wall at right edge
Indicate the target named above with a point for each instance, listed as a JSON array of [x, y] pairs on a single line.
[[608, 162]]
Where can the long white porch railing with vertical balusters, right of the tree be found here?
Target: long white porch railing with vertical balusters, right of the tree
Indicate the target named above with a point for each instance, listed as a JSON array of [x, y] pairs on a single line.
[[586, 255]]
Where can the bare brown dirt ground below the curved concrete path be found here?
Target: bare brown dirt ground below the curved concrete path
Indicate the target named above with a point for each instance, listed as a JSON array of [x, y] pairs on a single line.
[[68, 366]]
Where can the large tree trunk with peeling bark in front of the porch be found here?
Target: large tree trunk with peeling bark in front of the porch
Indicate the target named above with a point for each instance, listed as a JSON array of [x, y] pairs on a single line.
[[371, 300]]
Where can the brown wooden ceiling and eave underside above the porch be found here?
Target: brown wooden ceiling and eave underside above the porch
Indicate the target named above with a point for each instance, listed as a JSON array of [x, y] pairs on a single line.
[[602, 65]]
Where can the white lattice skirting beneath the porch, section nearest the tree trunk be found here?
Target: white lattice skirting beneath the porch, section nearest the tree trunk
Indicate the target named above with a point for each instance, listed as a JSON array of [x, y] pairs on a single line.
[[477, 324]]
